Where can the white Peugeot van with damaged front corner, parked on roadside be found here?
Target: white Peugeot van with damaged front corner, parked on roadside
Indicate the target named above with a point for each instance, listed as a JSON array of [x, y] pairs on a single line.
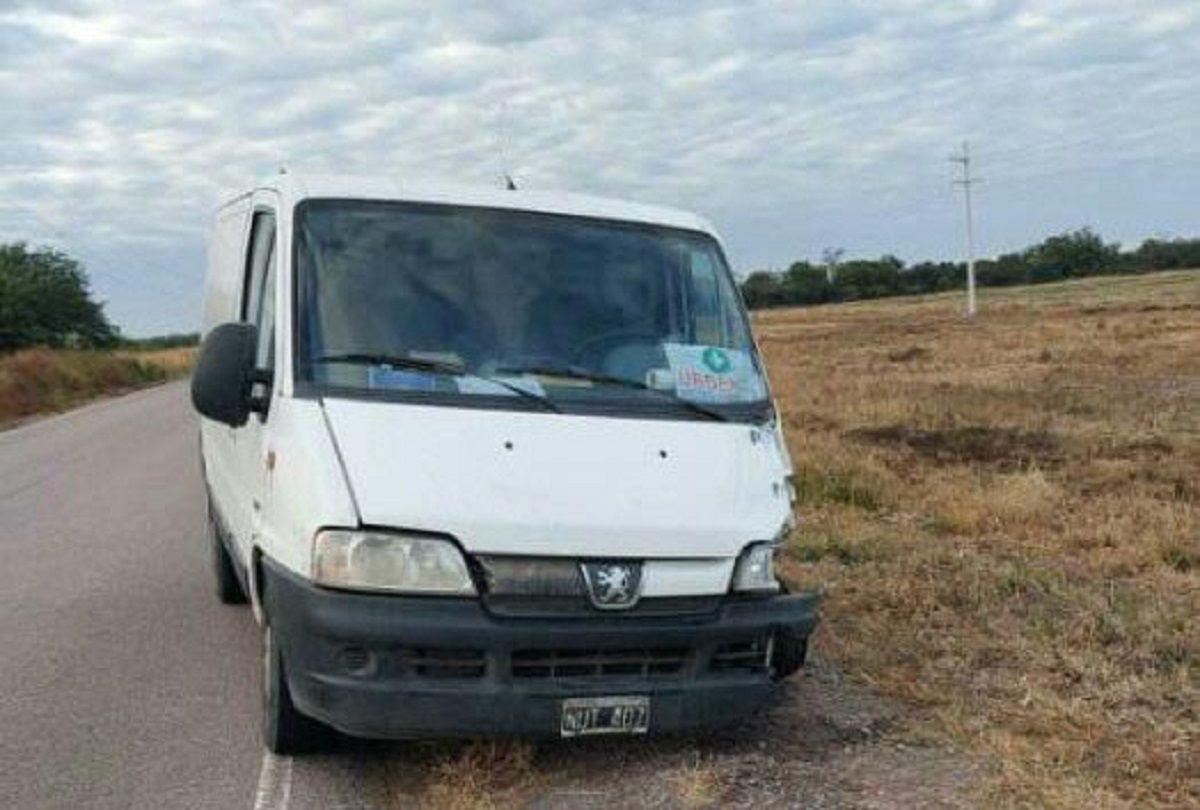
[[490, 463]]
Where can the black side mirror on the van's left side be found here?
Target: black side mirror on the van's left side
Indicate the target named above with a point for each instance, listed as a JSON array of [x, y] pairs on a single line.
[[224, 381]]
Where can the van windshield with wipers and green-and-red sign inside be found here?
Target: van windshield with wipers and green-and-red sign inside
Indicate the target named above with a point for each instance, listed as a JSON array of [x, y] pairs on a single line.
[[445, 304]]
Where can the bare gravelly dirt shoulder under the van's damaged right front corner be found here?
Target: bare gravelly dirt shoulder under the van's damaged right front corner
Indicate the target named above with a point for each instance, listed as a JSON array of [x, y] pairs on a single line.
[[823, 745]]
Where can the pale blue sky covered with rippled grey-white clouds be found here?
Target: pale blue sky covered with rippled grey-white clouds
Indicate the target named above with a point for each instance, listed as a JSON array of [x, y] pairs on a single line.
[[795, 127]]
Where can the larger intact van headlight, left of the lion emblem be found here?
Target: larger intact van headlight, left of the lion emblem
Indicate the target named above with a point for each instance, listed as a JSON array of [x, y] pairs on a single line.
[[381, 561]]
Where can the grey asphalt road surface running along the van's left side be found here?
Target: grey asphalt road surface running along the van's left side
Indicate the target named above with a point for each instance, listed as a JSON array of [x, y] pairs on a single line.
[[123, 682]]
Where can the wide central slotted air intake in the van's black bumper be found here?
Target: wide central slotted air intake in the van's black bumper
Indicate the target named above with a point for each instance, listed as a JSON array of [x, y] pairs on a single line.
[[659, 662]]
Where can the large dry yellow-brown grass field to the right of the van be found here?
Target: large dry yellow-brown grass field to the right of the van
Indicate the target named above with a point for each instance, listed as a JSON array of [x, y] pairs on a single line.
[[1005, 517]]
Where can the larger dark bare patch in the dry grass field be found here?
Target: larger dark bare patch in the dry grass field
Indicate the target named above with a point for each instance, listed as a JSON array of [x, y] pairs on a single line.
[[1004, 448]]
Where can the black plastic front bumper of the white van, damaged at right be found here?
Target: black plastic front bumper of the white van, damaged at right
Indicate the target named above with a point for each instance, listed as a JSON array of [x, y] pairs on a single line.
[[375, 665]]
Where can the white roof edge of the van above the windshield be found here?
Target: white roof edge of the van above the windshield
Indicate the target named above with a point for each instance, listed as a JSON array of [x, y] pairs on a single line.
[[297, 188]]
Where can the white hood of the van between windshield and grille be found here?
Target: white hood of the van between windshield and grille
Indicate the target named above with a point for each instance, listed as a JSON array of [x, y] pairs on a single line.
[[520, 483]]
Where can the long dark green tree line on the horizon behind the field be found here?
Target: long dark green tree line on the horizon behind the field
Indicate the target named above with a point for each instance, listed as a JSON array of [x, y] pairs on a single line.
[[1073, 255]]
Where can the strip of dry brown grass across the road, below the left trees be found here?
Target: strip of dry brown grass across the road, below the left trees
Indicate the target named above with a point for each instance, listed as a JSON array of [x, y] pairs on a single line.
[[45, 381]]
